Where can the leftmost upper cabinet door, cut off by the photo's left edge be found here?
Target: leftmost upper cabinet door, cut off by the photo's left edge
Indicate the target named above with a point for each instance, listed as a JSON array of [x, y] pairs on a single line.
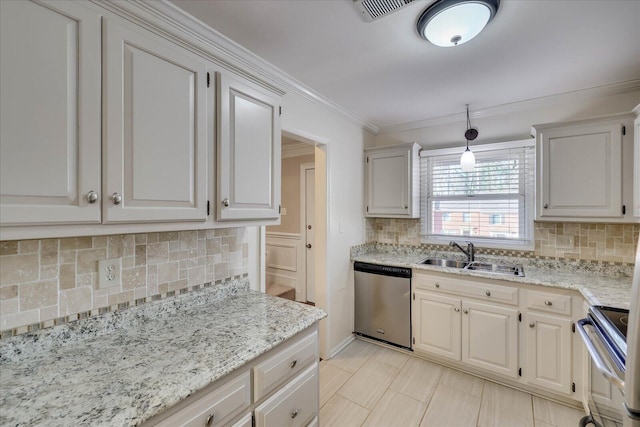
[[50, 113]]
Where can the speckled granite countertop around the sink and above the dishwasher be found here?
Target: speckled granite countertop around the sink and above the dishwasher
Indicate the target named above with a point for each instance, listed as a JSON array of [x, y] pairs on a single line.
[[599, 284]]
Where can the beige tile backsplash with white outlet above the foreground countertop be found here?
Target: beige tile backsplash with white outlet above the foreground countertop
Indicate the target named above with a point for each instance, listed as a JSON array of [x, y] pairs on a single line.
[[50, 281]]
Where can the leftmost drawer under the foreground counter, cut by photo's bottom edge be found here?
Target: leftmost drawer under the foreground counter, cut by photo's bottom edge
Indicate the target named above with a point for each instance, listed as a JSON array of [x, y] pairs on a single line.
[[223, 402]]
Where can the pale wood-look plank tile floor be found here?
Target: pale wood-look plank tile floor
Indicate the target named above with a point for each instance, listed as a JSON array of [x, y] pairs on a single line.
[[370, 385]]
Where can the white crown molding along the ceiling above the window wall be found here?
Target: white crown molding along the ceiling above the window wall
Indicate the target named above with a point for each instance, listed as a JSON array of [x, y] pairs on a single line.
[[594, 92]]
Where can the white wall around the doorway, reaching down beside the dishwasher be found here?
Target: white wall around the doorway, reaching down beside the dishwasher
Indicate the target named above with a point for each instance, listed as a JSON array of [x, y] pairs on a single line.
[[346, 141]]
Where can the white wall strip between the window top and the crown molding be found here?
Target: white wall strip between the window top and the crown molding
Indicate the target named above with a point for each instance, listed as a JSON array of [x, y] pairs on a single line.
[[515, 123]]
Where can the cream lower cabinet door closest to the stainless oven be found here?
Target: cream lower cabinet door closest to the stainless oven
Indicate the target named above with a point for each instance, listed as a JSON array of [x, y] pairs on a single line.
[[549, 352]]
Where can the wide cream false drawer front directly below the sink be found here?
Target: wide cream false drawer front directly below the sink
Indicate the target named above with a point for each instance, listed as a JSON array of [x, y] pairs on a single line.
[[480, 289]]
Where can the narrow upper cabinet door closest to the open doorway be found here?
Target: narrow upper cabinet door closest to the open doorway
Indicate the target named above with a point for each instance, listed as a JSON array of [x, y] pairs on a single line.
[[248, 151]]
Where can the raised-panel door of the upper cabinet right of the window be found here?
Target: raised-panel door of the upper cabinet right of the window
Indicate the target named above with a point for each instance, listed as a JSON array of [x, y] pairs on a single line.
[[581, 171]]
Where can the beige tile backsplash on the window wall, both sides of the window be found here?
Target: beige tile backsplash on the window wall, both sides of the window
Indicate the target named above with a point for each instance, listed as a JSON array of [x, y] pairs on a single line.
[[591, 242]]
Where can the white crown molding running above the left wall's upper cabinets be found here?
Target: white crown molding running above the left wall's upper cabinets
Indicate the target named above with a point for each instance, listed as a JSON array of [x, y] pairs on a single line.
[[231, 55]]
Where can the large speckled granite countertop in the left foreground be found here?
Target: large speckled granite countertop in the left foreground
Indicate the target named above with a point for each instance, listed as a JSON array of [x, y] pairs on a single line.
[[122, 368]]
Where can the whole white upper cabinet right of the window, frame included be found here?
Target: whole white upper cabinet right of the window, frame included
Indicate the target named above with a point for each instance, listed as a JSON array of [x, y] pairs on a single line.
[[584, 171]]
